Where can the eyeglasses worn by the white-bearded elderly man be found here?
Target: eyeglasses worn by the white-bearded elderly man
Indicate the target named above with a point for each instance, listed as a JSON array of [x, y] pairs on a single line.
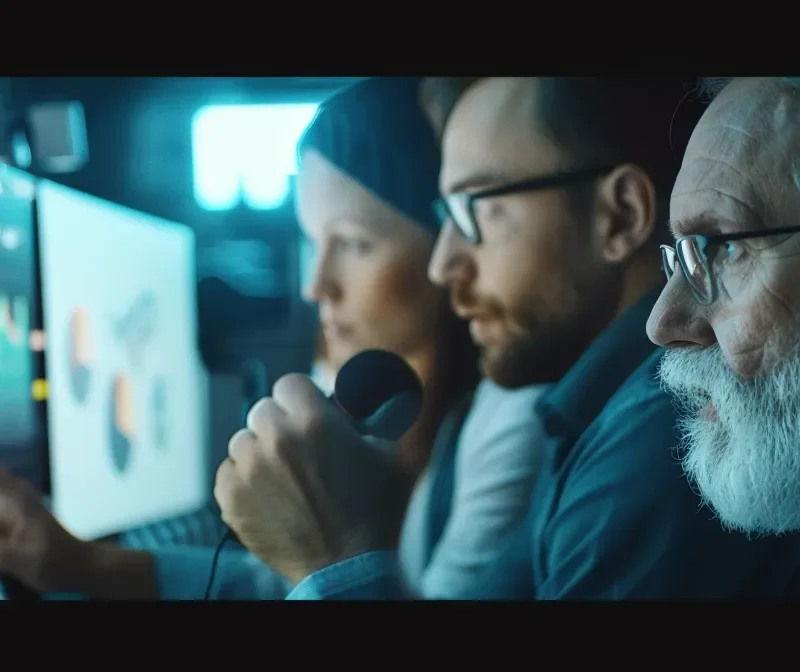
[[691, 253]]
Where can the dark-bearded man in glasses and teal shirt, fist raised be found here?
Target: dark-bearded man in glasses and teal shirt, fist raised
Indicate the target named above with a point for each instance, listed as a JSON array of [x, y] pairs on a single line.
[[552, 189]]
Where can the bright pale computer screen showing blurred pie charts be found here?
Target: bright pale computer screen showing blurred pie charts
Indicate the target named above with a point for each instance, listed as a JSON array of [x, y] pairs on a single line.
[[126, 408]]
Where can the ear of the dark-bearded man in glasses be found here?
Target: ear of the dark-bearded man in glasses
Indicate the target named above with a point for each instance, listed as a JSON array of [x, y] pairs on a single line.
[[626, 213]]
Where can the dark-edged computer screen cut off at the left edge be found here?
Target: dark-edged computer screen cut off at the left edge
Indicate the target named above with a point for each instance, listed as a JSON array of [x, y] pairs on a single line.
[[21, 387]]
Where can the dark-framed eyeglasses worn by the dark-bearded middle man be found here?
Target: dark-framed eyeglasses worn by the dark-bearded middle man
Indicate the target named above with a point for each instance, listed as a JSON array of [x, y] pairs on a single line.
[[460, 208]]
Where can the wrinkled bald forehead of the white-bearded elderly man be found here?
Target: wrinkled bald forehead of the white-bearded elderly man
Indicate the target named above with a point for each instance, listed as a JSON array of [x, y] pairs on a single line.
[[746, 146]]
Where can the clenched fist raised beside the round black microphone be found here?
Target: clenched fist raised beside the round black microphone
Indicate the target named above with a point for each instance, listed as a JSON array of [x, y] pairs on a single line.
[[303, 490]]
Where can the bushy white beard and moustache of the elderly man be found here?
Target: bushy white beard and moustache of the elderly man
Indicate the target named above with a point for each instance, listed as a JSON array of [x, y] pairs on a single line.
[[746, 463]]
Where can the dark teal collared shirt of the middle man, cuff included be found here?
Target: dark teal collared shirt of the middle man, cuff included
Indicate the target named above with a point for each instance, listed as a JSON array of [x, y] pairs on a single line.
[[612, 516]]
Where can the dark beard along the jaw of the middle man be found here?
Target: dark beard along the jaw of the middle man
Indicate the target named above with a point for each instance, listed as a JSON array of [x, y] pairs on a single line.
[[545, 352]]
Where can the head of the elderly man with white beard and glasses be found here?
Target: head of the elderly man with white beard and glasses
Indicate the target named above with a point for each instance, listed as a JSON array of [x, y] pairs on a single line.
[[730, 312]]
